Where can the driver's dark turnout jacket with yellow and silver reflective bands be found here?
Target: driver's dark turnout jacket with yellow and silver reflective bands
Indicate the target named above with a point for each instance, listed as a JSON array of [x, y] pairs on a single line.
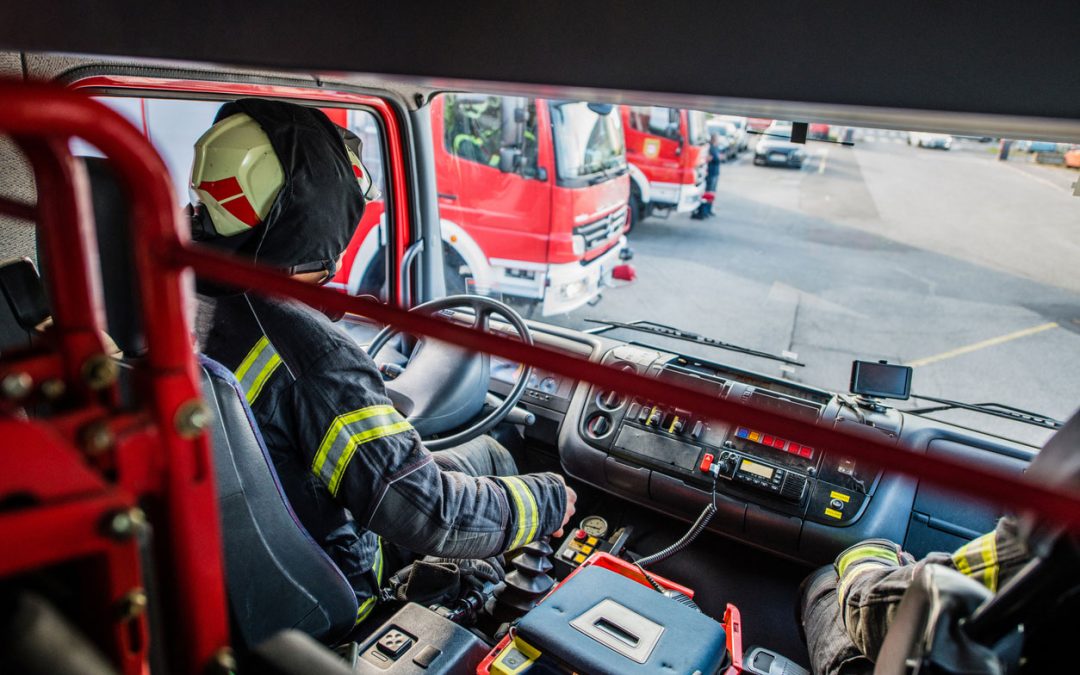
[[353, 468]]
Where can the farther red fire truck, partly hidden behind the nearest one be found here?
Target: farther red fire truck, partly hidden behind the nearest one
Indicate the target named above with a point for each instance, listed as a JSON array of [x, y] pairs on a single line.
[[667, 153]]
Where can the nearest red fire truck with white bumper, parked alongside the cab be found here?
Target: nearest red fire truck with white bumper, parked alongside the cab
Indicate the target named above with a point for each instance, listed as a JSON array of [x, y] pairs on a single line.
[[533, 201]]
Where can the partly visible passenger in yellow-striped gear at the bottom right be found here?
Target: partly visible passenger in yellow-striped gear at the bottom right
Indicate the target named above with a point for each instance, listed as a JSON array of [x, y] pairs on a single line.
[[847, 607]]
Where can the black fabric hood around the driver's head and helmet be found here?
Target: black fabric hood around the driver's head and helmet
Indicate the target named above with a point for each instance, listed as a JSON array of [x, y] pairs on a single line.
[[320, 206]]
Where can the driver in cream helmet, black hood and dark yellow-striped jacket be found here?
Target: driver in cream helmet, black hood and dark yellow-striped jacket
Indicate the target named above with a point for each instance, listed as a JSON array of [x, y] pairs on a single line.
[[279, 186]]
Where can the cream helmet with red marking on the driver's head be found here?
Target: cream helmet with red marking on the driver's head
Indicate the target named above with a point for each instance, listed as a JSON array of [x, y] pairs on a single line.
[[237, 174]]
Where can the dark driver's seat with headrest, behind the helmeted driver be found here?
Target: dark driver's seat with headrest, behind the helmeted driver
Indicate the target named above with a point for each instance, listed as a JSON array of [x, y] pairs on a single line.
[[277, 576]]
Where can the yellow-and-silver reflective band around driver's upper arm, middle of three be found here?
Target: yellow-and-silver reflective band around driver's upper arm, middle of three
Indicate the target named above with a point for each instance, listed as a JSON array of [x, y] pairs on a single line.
[[349, 431]]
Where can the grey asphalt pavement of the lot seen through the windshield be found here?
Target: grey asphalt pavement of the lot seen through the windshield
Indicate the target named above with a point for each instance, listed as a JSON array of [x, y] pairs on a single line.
[[965, 267]]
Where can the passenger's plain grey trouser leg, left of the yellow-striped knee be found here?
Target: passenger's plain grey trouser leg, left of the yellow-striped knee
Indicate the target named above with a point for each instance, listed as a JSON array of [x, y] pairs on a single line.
[[832, 652]]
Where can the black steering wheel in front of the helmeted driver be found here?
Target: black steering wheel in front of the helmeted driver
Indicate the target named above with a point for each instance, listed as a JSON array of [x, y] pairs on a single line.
[[443, 384]]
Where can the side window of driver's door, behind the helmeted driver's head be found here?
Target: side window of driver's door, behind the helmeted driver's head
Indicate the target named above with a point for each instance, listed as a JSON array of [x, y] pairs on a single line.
[[174, 125]]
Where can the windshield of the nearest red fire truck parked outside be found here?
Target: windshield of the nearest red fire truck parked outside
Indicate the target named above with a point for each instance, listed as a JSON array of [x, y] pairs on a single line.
[[587, 143]]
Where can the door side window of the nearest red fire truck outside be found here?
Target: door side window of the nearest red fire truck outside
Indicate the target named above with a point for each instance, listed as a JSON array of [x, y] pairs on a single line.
[[474, 125]]
